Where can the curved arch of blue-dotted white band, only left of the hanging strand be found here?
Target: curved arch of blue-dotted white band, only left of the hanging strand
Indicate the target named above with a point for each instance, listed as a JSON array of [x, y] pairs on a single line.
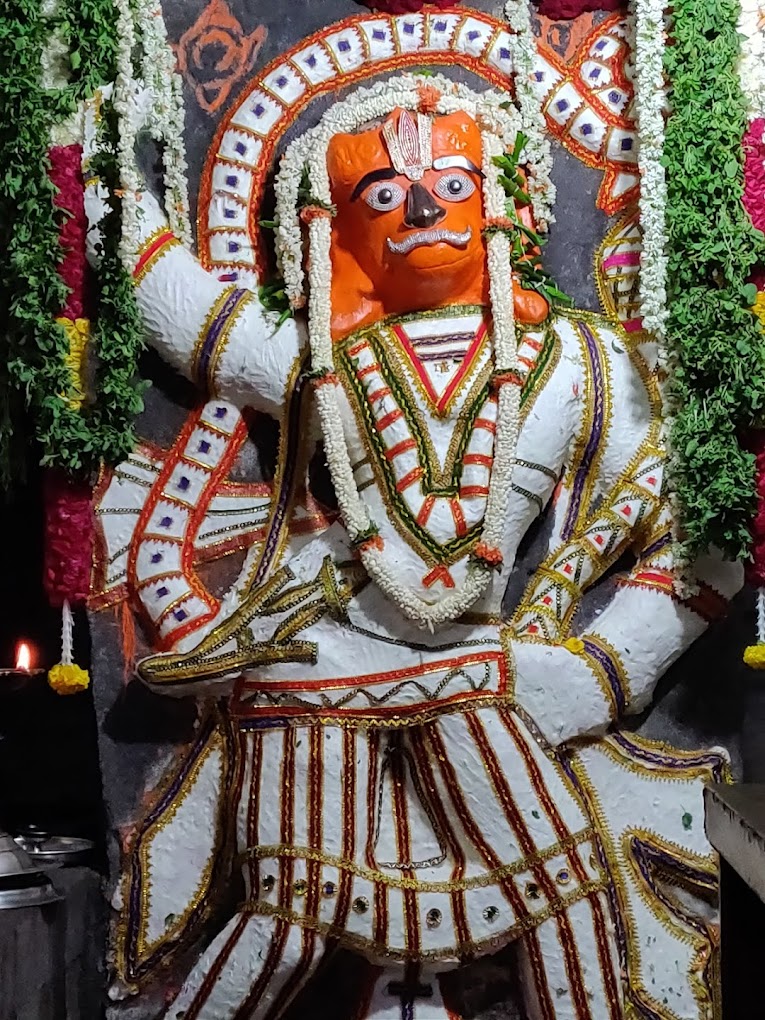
[[345, 55]]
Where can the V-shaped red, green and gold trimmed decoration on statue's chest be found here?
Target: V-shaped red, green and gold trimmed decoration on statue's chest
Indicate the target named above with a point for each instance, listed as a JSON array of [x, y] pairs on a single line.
[[429, 447]]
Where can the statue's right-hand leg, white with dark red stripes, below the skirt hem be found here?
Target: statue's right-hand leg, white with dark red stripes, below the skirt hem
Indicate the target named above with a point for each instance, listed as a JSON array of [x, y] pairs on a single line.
[[570, 965]]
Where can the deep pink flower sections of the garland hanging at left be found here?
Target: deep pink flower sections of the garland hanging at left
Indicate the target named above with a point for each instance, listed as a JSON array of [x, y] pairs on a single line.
[[69, 515]]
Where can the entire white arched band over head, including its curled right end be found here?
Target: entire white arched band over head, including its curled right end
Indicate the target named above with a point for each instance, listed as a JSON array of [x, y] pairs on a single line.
[[584, 108]]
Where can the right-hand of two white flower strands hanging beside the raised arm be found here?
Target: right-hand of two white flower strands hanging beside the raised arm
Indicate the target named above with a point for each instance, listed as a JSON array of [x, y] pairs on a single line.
[[166, 113]]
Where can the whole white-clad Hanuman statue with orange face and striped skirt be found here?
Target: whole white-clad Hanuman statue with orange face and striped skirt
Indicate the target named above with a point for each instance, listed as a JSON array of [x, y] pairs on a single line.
[[412, 778]]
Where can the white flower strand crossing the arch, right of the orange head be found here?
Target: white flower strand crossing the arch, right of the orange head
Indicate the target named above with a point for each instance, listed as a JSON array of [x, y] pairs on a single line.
[[538, 154]]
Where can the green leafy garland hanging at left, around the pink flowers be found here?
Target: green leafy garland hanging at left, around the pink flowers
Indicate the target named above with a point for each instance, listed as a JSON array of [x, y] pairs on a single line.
[[33, 373]]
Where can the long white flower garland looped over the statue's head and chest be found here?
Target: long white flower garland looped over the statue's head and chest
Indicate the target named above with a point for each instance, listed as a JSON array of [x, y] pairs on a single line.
[[499, 128]]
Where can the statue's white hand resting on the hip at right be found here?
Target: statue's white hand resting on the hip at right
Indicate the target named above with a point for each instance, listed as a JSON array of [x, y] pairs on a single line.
[[559, 691]]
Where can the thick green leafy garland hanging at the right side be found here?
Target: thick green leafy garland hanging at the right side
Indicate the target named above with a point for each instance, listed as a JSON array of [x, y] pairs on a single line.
[[718, 355]]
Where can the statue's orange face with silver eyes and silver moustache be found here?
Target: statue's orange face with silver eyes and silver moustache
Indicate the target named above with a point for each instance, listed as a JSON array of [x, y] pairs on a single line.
[[404, 241]]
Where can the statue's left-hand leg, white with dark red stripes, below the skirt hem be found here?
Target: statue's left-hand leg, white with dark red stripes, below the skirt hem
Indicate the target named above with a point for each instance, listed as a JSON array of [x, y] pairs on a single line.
[[252, 972]]
